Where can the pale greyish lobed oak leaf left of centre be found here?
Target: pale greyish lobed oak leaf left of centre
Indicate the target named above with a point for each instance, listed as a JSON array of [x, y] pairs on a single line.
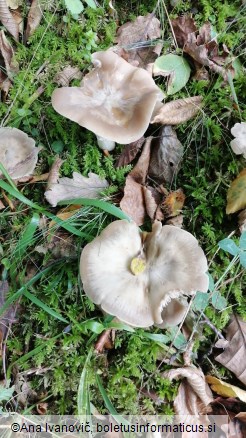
[[77, 187]]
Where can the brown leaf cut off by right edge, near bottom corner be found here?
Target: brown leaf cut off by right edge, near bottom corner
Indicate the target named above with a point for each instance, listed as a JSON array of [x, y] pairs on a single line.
[[234, 354]]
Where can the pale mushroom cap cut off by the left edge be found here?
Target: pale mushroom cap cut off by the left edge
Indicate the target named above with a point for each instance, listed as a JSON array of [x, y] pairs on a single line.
[[18, 153]]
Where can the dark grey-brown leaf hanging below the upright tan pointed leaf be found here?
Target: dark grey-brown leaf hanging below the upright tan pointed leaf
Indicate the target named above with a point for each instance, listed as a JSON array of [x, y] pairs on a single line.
[[166, 156]]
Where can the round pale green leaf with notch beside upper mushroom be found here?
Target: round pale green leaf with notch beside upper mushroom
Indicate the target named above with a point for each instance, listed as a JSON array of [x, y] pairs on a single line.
[[174, 66]]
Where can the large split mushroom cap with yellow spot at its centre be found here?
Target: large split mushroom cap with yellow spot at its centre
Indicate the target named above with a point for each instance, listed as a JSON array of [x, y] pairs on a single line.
[[141, 278]]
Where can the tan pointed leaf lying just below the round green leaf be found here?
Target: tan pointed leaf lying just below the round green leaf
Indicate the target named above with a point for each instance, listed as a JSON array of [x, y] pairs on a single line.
[[178, 111]]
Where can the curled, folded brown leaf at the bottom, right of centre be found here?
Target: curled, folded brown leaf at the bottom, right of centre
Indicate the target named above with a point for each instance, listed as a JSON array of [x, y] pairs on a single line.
[[194, 395]]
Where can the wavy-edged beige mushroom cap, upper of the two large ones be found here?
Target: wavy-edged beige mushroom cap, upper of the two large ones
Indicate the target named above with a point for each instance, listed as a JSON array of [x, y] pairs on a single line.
[[115, 100]]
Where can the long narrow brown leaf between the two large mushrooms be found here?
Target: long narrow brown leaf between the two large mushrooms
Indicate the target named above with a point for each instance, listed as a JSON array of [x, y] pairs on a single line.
[[132, 202]]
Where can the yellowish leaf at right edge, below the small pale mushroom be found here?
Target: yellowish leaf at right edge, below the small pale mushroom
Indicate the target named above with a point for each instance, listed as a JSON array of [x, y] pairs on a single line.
[[236, 195]]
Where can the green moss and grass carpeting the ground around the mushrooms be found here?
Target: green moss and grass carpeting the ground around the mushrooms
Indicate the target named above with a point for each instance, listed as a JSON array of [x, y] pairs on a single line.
[[57, 324]]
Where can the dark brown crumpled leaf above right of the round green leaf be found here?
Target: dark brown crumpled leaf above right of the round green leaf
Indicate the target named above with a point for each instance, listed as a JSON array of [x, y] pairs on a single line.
[[201, 46]]
